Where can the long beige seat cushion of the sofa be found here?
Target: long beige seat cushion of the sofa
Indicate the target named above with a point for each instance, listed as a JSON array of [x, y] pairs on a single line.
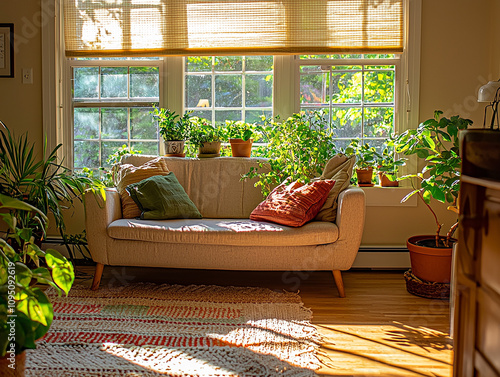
[[235, 232]]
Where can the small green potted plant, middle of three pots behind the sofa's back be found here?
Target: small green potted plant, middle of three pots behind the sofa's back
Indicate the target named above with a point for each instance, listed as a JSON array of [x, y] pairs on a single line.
[[206, 137]]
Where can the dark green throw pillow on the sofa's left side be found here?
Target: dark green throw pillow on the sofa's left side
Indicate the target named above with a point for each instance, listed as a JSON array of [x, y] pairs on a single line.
[[162, 197]]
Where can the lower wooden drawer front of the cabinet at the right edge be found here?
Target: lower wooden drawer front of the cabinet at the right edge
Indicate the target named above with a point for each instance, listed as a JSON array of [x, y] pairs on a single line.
[[488, 327]]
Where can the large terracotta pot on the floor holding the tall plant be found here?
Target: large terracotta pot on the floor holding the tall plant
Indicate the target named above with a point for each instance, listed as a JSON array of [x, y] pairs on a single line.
[[429, 263]]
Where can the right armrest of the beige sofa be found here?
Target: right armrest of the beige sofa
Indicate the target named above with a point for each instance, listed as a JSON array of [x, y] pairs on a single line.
[[351, 221]]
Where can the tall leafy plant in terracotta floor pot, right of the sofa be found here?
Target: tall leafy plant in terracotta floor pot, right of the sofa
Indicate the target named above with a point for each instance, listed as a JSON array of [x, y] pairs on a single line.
[[435, 142]]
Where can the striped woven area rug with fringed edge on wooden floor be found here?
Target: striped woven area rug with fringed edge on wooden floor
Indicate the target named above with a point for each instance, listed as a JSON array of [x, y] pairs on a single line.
[[163, 330]]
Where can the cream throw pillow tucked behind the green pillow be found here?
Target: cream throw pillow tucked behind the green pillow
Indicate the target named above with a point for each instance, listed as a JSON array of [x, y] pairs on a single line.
[[127, 174]]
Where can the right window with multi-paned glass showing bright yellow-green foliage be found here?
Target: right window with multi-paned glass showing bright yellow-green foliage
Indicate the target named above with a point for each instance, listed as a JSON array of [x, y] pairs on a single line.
[[359, 99]]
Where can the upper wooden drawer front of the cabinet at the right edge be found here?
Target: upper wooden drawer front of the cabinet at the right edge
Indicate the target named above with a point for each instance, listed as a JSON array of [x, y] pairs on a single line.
[[490, 256]]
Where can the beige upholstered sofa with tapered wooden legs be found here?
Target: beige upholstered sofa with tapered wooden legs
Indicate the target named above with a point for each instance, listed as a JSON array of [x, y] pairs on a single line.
[[224, 238]]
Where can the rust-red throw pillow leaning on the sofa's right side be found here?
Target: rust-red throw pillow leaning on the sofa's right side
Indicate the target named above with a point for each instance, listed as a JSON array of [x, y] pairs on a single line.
[[293, 204]]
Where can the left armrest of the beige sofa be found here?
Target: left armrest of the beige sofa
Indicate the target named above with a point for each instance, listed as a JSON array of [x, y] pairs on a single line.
[[99, 213]]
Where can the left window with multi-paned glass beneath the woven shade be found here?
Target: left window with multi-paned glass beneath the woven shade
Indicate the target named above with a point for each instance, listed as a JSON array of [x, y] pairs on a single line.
[[112, 104]]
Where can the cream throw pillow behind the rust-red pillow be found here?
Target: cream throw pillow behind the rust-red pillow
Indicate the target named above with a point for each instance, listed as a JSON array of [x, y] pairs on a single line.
[[339, 169]]
